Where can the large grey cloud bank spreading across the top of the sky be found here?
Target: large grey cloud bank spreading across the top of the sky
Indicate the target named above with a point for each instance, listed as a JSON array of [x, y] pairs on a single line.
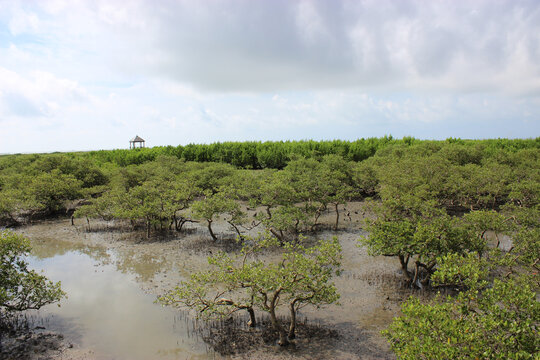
[[259, 45]]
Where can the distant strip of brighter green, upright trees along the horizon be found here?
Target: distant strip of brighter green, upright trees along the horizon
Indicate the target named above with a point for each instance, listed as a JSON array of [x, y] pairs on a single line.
[[276, 155]]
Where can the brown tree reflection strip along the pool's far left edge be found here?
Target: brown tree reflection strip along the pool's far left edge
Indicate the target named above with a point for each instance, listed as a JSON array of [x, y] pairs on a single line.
[[49, 247]]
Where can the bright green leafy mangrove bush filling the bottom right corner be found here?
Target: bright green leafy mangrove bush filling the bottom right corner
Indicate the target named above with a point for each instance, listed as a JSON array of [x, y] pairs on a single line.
[[489, 318]]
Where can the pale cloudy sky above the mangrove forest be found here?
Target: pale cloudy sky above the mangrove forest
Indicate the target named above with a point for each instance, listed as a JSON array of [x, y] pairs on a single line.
[[90, 75]]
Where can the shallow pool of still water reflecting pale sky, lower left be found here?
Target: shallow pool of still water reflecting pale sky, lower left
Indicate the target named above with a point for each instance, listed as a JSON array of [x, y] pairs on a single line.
[[107, 312]]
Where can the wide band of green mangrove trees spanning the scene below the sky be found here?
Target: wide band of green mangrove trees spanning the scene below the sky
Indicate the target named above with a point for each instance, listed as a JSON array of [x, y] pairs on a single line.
[[458, 174]]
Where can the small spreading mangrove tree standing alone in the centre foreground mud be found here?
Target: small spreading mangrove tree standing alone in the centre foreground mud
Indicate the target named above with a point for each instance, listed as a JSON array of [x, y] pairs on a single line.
[[302, 276]]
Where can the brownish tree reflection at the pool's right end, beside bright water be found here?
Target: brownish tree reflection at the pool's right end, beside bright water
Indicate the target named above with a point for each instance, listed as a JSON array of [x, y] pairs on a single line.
[[145, 266]]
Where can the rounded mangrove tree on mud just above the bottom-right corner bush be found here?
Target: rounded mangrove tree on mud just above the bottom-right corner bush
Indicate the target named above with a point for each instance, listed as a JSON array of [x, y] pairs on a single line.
[[418, 238]]
